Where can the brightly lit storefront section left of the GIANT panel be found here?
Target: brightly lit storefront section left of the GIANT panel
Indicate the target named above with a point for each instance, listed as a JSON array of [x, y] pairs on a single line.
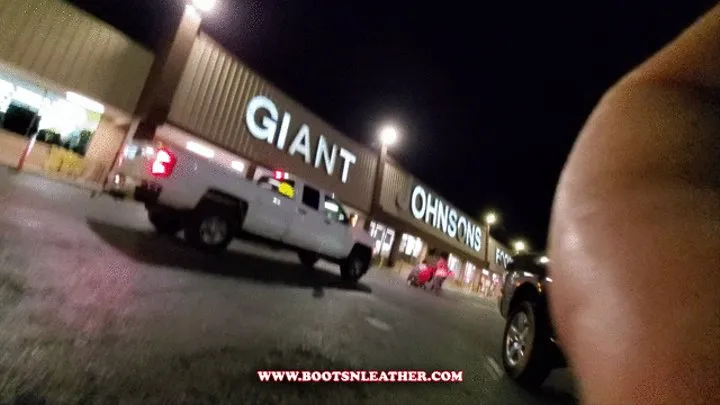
[[69, 84]]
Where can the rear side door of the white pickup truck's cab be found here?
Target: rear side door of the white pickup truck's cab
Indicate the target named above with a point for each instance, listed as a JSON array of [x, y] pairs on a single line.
[[308, 225]]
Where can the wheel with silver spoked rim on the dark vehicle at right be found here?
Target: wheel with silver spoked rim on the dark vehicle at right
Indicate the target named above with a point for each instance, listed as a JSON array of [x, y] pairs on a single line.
[[526, 346]]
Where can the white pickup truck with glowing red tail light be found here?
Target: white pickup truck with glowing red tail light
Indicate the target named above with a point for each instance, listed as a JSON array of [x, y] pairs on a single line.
[[213, 202]]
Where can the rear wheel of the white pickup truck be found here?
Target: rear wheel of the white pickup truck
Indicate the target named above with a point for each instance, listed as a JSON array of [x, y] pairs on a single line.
[[211, 229]]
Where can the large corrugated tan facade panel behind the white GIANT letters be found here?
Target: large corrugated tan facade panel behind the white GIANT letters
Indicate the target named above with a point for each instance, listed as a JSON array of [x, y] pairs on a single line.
[[211, 100]]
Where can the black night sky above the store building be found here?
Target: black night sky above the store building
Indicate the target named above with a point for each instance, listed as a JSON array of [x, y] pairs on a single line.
[[489, 96]]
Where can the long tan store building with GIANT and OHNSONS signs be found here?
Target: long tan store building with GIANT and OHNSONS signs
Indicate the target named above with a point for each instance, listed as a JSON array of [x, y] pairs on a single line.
[[84, 81]]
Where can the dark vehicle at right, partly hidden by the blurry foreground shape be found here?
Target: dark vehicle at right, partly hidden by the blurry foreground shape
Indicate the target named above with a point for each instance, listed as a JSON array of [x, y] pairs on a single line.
[[530, 349]]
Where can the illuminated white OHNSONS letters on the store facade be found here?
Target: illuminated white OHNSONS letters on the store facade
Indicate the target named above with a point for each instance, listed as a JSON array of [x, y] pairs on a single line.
[[433, 211]]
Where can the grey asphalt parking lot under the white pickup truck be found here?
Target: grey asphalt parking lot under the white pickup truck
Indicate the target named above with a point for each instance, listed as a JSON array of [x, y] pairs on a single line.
[[95, 308]]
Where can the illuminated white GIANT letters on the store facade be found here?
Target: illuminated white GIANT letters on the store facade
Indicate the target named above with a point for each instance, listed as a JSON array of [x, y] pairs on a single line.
[[265, 128]]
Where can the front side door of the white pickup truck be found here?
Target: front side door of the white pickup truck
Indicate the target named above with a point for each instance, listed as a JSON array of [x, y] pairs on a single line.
[[337, 239]]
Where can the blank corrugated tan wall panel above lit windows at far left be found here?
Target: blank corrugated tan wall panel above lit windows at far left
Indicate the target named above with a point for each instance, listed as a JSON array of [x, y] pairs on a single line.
[[62, 44]]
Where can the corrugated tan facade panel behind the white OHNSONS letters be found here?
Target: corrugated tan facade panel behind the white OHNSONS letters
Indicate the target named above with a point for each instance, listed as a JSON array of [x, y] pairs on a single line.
[[395, 201]]
